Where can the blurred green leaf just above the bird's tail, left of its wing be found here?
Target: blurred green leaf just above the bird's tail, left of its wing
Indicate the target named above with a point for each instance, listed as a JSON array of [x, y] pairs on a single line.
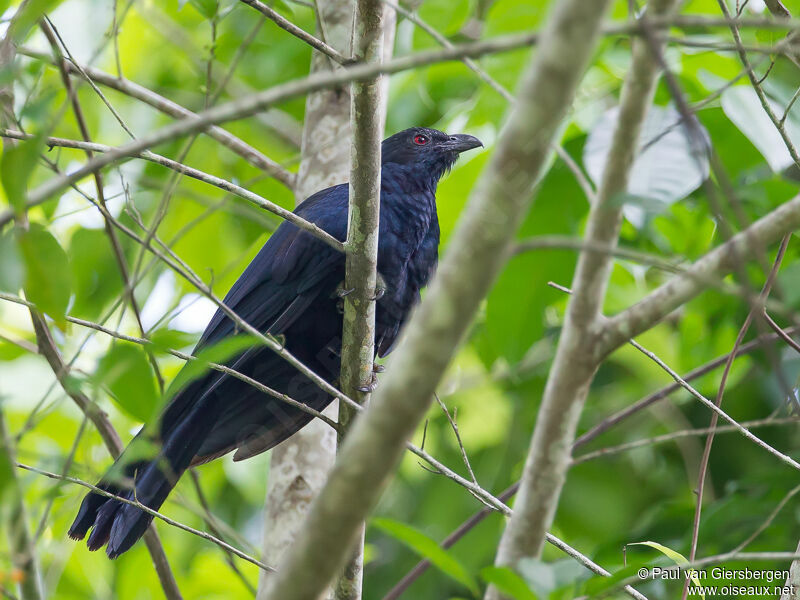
[[126, 373]]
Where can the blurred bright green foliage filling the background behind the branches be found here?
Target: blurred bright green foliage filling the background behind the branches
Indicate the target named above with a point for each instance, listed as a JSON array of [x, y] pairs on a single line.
[[66, 265]]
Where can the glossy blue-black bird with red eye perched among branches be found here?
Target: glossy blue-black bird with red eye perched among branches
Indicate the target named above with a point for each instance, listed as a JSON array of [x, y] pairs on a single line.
[[292, 288]]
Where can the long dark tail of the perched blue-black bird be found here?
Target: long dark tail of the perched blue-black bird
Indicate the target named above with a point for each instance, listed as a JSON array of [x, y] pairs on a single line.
[[120, 525]]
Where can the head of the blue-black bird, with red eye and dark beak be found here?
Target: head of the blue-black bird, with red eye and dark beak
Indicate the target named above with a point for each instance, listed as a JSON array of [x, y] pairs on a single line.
[[427, 151]]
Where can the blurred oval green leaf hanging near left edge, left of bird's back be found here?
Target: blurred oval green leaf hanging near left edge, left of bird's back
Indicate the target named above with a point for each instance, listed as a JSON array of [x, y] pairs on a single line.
[[47, 271]]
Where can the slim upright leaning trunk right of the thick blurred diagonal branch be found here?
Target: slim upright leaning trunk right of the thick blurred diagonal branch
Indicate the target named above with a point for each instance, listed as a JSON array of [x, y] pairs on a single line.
[[577, 357]]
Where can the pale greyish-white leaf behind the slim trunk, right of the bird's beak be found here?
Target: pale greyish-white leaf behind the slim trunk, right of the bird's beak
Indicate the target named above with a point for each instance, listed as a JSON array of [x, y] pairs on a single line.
[[667, 168]]
